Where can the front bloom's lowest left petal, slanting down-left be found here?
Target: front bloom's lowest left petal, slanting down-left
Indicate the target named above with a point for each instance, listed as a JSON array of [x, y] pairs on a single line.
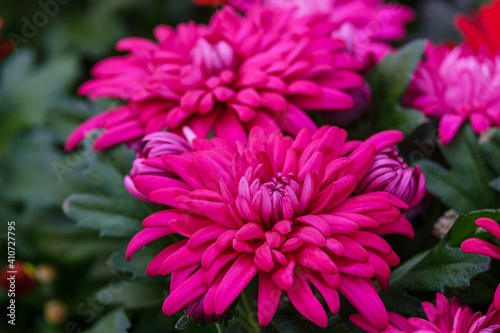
[[188, 291]]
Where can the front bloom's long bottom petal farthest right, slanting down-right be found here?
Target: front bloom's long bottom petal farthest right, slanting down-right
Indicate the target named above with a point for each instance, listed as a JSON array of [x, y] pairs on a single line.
[[364, 298]]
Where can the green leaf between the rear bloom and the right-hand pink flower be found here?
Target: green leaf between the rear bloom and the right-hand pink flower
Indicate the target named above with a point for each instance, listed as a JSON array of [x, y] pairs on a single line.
[[389, 81]]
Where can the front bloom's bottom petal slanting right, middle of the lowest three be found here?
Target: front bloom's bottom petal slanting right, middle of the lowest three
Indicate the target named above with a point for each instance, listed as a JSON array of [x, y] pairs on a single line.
[[304, 301]]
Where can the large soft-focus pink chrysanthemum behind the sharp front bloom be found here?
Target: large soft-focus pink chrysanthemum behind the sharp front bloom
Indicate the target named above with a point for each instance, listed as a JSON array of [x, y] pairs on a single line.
[[262, 69]]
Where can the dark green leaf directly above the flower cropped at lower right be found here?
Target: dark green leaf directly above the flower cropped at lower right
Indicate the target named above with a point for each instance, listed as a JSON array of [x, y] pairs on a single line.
[[436, 270]]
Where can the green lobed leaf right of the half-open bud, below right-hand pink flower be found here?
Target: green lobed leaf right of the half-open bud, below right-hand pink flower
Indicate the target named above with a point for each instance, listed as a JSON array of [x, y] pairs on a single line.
[[463, 187]]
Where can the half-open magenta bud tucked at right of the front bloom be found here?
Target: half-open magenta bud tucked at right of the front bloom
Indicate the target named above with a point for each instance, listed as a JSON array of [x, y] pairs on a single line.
[[389, 173]]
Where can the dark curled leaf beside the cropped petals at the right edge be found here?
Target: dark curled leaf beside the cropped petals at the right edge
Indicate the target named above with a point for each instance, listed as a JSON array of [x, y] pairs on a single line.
[[465, 226]]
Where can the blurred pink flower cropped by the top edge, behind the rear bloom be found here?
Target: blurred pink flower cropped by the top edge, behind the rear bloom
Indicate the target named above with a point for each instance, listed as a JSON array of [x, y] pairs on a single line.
[[365, 26]]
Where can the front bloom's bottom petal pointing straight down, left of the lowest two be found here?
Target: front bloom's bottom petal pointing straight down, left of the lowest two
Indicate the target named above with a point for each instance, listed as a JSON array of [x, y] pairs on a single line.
[[269, 297]]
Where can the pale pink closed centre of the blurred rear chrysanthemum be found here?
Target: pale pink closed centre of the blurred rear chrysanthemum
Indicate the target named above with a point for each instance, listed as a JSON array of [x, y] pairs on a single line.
[[213, 58]]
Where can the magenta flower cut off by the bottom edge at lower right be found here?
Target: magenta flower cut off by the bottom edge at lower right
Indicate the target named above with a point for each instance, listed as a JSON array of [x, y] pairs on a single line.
[[445, 317]]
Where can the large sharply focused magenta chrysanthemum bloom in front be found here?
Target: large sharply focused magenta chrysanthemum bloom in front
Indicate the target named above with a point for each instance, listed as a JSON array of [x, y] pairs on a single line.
[[283, 209]]
